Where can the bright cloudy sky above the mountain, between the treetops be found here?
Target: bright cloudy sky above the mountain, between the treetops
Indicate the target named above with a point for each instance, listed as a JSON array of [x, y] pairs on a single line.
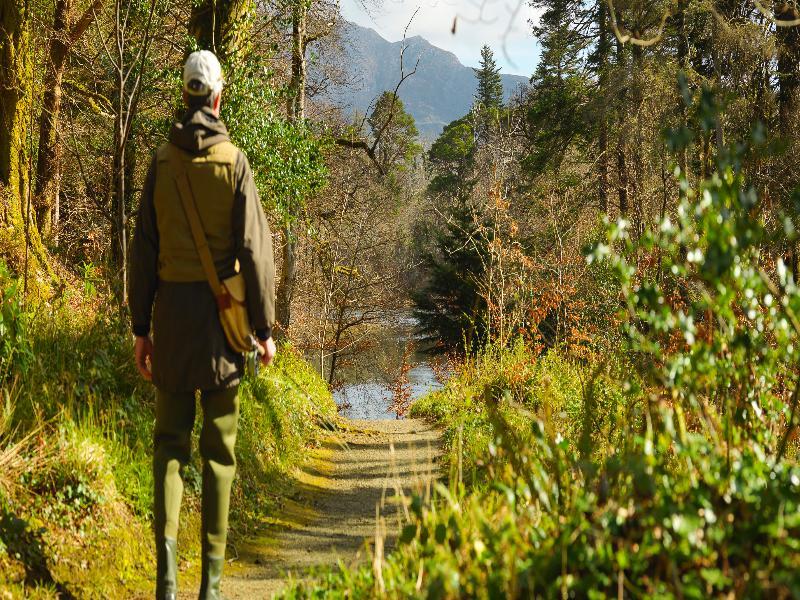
[[502, 24]]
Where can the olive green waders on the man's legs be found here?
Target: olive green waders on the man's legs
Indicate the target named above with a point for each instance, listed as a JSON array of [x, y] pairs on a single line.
[[175, 414]]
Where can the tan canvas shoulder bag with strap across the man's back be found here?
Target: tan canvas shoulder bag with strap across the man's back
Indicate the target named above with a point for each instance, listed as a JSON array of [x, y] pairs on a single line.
[[229, 293]]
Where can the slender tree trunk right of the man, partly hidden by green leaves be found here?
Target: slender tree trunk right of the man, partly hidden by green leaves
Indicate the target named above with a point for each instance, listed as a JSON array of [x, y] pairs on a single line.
[[295, 110]]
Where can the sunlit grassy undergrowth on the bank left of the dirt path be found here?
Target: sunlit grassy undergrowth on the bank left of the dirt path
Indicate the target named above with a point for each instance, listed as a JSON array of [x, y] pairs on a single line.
[[76, 427]]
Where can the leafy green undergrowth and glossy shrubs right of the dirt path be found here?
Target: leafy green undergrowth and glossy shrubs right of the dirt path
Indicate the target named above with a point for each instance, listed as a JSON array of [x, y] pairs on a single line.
[[665, 470]]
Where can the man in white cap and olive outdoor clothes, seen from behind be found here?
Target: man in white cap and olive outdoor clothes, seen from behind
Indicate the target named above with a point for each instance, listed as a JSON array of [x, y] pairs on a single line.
[[189, 351]]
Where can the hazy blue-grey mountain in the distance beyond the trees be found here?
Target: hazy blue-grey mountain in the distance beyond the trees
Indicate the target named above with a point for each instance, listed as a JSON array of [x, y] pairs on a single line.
[[440, 91]]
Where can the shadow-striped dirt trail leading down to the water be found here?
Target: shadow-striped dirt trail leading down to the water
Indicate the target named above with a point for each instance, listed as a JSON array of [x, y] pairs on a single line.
[[333, 512]]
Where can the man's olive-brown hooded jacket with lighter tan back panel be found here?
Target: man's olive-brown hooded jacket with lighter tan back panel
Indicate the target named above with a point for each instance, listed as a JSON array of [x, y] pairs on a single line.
[[168, 288]]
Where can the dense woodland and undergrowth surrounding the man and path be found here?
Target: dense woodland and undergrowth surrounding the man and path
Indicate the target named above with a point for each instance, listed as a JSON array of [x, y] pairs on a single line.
[[608, 263]]
